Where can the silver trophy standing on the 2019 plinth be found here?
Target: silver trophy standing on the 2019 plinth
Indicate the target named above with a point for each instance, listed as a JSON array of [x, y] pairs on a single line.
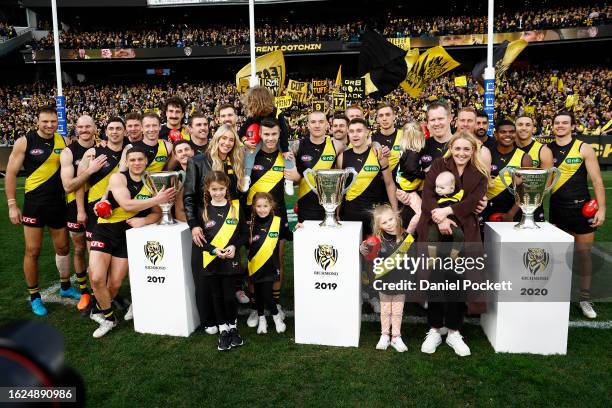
[[330, 186]]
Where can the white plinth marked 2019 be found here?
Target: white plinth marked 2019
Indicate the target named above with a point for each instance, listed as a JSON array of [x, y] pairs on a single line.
[[327, 292]]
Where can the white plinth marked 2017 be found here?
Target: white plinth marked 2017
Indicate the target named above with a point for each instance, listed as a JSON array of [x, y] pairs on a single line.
[[163, 292]]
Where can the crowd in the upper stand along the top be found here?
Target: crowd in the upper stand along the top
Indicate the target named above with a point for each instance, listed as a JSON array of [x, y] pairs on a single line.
[[168, 34]]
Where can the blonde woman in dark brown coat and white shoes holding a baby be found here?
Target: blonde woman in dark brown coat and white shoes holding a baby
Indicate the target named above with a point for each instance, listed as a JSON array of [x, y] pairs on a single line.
[[471, 175]]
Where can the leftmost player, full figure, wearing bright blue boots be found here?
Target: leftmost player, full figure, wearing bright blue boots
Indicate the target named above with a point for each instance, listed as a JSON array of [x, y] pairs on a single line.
[[44, 203]]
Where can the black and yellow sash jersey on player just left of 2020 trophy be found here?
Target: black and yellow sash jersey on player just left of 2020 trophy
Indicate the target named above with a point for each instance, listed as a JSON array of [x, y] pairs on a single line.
[[498, 195]]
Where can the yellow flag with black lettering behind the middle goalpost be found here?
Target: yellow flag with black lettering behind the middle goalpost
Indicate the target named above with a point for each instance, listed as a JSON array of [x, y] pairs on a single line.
[[270, 69]]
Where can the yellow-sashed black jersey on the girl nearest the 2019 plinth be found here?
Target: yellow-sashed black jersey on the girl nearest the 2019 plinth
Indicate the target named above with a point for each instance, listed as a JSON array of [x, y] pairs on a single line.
[[263, 254]]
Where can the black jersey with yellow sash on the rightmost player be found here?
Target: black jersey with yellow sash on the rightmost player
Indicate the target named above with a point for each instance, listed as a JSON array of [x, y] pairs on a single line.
[[572, 186]]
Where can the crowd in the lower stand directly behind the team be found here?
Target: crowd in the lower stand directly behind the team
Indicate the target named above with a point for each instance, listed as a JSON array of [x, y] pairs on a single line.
[[538, 92]]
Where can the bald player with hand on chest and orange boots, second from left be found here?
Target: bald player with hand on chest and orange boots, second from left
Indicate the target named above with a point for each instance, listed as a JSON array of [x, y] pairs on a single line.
[[69, 161]]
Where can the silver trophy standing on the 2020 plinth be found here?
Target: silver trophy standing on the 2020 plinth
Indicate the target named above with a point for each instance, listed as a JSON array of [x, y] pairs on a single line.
[[529, 185]]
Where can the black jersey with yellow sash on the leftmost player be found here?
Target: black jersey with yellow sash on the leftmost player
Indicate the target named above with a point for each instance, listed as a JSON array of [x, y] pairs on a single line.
[[42, 168]]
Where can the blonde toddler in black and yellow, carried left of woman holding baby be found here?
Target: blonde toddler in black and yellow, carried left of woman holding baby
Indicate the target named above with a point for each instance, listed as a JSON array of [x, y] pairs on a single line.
[[409, 174]]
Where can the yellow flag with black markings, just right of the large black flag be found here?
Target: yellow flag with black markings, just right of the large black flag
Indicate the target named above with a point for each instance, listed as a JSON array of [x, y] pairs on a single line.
[[432, 64]]
